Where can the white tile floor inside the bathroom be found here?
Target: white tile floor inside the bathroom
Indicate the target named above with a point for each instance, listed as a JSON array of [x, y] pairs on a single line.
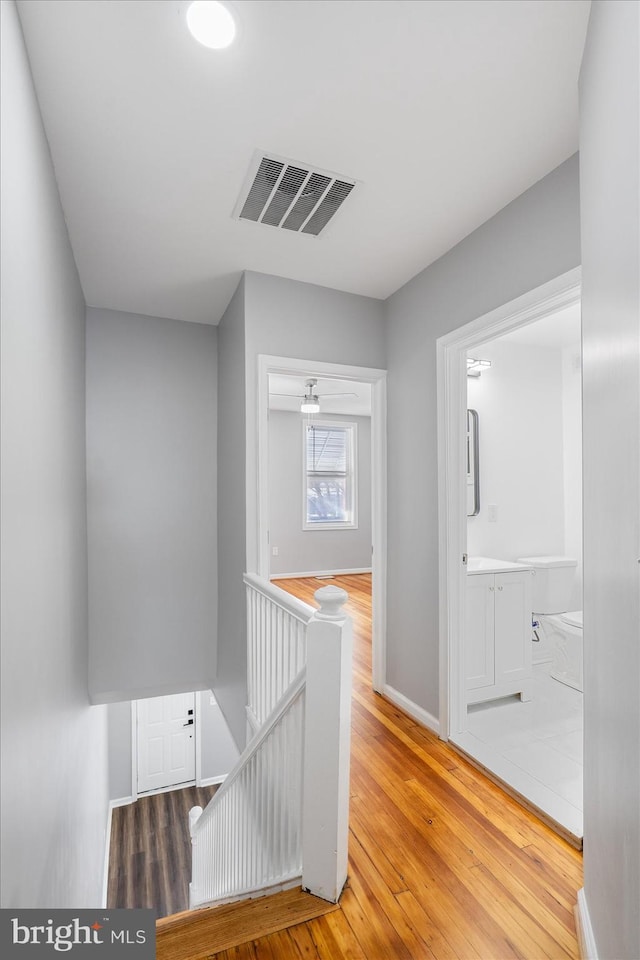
[[536, 746]]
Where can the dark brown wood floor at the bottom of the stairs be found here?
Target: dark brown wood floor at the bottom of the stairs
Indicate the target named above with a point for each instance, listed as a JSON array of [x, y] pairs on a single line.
[[150, 853]]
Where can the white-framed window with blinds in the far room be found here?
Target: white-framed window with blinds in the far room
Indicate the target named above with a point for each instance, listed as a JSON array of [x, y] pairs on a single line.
[[329, 476]]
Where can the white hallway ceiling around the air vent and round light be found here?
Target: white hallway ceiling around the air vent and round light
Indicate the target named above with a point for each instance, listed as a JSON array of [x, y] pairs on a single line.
[[442, 111]]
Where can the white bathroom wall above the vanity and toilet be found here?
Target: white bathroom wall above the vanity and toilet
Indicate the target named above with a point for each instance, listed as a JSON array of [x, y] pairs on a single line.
[[519, 404]]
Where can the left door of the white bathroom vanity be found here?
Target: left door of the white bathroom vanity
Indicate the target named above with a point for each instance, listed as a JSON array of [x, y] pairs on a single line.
[[479, 631]]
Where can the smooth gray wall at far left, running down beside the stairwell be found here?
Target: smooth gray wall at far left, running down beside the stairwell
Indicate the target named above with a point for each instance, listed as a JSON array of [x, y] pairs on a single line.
[[54, 744]]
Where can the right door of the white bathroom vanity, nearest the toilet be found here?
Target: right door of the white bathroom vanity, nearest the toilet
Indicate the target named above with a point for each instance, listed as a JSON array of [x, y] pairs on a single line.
[[513, 627]]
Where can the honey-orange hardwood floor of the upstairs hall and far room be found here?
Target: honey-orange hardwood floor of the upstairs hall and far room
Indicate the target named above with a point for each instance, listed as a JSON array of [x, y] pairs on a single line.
[[443, 864]]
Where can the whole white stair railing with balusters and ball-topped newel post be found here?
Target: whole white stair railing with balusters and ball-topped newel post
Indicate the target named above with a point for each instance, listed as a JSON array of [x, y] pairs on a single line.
[[280, 820]]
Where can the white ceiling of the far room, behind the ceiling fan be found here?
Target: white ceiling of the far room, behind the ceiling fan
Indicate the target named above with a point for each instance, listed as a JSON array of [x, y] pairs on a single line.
[[286, 392]]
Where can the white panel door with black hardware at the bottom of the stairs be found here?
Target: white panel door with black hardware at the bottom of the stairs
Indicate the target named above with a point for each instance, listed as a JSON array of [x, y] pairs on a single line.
[[166, 741]]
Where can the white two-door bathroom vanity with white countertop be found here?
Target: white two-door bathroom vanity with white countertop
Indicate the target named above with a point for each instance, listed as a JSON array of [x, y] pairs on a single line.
[[498, 630]]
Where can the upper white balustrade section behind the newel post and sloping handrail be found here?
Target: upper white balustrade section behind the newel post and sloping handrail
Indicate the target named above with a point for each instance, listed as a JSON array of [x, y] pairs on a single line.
[[276, 645]]
